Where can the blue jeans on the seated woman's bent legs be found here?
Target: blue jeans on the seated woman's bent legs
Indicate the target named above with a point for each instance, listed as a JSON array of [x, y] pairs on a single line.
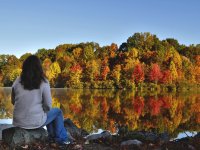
[[55, 125]]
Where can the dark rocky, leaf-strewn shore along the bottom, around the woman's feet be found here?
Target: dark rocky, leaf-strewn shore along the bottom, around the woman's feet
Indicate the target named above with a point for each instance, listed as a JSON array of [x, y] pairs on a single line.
[[16, 138]]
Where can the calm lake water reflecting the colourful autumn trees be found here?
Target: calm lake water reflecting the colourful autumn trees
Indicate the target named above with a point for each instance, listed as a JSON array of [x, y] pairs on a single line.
[[106, 109]]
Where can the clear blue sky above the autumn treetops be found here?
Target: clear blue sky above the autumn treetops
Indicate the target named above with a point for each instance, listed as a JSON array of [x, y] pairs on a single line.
[[28, 25]]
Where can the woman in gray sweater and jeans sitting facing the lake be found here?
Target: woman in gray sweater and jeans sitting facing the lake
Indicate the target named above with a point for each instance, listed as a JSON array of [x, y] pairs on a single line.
[[32, 102]]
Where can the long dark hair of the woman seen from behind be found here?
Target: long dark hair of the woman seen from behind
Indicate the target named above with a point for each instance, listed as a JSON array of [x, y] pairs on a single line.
[[32, 73]]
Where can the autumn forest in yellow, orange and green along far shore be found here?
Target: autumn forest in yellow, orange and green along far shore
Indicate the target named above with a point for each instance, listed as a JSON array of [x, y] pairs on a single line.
[[142, 62]]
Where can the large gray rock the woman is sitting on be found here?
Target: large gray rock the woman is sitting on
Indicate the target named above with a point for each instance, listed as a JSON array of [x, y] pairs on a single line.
[[17, 136]]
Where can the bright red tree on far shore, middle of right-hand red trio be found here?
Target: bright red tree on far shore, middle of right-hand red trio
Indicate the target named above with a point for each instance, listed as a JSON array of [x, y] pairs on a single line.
[[155, 73]]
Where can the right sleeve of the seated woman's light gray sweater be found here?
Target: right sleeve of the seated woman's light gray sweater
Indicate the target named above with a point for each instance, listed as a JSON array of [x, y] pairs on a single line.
[[46, 97]]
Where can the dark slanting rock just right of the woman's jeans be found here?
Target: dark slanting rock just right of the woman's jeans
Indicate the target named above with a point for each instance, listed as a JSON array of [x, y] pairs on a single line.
[[74, 131]]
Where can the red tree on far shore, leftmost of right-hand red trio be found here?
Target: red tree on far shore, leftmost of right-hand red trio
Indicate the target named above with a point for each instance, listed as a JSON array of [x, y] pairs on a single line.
[[138, 73]]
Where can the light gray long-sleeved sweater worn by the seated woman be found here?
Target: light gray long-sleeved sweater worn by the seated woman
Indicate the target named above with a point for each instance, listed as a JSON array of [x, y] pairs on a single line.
[[30, 106]]
